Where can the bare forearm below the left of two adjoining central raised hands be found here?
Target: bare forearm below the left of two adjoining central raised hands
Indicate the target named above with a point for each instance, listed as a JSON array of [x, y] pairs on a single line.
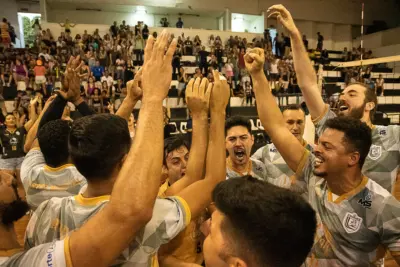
[[198, 149]]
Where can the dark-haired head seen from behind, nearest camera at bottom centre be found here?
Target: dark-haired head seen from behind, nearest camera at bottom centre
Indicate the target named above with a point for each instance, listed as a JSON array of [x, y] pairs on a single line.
[[262, 222]]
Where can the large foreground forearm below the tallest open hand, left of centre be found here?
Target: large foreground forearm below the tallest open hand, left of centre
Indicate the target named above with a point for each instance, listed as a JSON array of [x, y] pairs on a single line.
[[142, 163]]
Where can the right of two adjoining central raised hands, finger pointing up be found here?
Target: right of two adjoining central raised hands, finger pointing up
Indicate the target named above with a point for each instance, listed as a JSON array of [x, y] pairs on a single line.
[[220, 94]]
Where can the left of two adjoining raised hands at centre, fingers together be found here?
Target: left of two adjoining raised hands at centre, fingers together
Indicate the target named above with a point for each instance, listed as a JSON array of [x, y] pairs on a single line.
[[198, 93]]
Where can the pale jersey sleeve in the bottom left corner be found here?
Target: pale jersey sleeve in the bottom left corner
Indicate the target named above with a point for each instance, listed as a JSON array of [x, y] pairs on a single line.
[[45, 255]]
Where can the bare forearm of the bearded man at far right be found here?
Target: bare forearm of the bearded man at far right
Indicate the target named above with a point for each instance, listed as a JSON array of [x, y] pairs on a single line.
[[306, 76]]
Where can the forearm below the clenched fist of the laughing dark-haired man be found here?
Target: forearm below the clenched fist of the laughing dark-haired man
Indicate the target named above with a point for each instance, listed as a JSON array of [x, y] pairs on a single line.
[[268, 111]]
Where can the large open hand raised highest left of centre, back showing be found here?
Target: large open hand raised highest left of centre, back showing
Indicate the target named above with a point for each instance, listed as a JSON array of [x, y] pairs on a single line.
[[157, 69]]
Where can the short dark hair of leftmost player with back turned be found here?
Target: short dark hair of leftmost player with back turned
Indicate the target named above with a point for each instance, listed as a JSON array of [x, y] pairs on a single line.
[[53, 142]]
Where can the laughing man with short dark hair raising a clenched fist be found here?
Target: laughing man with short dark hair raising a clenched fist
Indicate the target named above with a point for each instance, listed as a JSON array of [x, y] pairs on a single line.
[[356, 216]]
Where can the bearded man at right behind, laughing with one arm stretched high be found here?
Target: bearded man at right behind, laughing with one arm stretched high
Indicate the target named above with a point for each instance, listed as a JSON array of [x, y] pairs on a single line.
[[356, 101]]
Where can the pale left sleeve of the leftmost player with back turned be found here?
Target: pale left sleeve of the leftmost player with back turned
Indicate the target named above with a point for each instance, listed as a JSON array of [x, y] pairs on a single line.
[[32, 161]]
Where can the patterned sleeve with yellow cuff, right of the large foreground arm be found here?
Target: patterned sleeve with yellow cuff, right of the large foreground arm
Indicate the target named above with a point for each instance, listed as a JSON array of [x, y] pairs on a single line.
[[170, 216]]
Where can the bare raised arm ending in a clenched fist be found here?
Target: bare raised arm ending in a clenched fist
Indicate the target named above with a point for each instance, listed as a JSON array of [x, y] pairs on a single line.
[[268, 111]]
